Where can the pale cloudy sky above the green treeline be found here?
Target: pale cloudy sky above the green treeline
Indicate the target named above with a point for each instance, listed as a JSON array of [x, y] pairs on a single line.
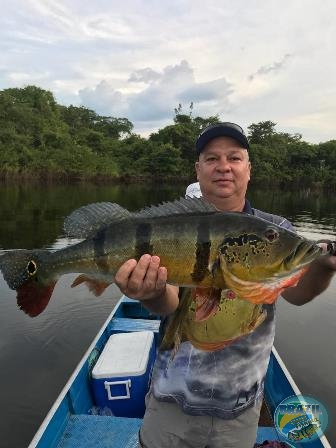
[[245, 61]]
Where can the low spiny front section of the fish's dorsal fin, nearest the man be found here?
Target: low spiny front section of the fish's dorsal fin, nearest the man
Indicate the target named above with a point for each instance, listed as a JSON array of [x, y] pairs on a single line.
[[182, 206]]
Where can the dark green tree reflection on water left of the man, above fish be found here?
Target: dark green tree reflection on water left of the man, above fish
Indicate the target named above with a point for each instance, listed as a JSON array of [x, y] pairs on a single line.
[[32, 216]]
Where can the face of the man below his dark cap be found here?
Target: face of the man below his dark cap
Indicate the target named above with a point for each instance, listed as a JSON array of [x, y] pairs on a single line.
[[223, 170]]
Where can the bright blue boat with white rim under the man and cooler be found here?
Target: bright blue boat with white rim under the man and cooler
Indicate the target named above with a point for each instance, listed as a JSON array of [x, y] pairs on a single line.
[[73, 420]]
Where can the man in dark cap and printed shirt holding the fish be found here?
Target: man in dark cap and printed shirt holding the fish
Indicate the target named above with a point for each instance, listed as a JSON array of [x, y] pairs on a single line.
[[201, 398]]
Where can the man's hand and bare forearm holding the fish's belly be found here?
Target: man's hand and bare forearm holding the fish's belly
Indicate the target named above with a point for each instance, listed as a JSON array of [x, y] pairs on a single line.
[[146, 281]]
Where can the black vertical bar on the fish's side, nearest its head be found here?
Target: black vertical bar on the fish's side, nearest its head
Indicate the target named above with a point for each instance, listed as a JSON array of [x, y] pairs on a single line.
[[202, 253]]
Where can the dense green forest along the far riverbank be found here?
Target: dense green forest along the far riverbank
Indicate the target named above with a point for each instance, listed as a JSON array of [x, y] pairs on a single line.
[[40, 139]]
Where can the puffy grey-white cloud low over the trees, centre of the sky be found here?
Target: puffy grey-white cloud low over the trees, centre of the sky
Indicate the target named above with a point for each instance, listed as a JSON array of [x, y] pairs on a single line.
[[160, 93]]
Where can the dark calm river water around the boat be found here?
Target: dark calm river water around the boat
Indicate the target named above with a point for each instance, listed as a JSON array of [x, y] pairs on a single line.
[[38, 354]]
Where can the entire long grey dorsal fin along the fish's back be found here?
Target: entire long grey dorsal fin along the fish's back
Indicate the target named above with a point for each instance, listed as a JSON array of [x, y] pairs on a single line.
[[90, 219]]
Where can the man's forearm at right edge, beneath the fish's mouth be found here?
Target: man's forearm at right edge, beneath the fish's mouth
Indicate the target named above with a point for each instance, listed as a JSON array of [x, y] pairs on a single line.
[[315, 280]]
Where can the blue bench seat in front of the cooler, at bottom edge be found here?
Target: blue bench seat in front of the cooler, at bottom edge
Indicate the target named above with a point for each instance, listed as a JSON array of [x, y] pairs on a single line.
[[93, 431]]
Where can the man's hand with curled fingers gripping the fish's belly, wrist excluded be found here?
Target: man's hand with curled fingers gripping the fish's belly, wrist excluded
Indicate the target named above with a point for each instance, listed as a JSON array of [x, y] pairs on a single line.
[[142, 280]]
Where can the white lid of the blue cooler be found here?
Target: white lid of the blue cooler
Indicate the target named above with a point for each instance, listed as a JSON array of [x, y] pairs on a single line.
[[125, 354]]
